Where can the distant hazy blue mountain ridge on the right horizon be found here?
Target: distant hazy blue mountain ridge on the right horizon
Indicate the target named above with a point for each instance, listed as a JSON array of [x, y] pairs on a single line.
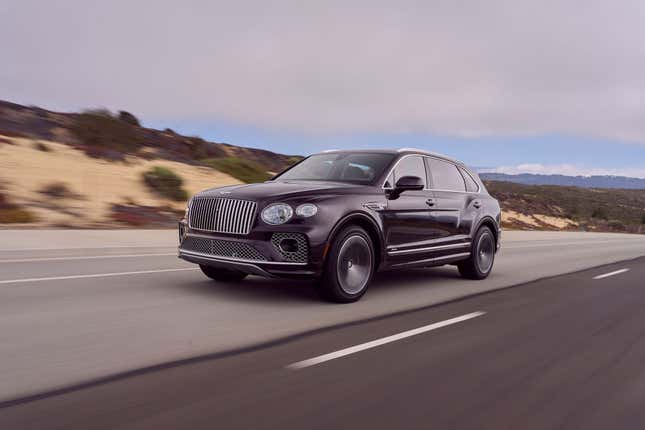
[[621, 182]]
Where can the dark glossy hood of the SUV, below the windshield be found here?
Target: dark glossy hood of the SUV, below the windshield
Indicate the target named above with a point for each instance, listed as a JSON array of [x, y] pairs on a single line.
[[279, 190]]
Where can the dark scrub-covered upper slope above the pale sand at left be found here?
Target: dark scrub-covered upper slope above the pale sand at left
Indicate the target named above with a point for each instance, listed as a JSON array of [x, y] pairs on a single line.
[[102, 134]]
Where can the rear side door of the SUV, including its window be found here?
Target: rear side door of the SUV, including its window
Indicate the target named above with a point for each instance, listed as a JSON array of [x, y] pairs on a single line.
[[451, 212]]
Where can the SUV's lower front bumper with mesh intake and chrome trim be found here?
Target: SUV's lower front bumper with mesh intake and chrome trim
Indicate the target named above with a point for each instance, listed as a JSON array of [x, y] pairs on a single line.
[[258, 254]]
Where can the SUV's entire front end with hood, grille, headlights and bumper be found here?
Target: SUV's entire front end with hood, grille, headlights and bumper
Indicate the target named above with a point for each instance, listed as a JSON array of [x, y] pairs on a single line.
[[270, 229]]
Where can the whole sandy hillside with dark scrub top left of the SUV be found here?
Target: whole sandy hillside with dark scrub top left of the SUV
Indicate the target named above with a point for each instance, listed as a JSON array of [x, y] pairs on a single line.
[[99, 169]]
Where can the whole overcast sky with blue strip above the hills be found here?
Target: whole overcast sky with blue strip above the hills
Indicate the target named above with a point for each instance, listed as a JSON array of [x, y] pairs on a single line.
[[540, 86]]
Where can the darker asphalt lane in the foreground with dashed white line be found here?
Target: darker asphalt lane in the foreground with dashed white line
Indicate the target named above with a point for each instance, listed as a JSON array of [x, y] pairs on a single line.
[[565, 352]]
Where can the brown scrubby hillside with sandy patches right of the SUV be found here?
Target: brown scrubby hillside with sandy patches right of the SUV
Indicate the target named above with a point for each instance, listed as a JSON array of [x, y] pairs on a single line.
[[550, 207]]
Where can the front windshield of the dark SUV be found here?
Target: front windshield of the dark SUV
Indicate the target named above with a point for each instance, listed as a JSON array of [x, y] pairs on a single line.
[[362, 168]]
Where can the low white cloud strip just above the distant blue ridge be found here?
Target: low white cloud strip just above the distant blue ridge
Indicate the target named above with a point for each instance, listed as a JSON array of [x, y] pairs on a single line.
[[565, 169]]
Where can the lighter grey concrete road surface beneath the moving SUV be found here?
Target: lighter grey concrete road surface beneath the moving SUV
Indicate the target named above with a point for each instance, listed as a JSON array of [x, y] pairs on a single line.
[[149, 310]]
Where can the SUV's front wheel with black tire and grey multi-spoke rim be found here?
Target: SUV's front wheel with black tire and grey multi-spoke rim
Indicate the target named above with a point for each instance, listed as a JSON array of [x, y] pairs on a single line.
[[349, 267]]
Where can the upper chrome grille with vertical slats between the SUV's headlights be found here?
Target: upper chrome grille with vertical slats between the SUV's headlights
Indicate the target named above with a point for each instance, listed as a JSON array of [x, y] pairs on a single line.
[[222, 215]]
